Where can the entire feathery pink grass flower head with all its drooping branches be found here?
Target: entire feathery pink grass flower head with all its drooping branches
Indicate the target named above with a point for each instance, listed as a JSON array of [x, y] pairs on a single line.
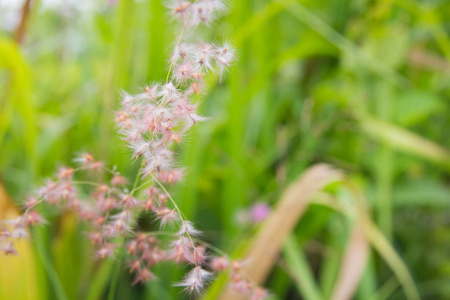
[[152, 122]]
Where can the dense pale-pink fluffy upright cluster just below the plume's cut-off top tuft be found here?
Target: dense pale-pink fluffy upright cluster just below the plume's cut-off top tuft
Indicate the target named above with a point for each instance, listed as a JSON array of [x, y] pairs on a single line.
[[152, 121]]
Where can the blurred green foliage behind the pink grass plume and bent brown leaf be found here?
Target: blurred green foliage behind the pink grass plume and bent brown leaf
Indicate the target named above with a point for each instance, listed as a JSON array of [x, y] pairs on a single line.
[[361, 85]]
